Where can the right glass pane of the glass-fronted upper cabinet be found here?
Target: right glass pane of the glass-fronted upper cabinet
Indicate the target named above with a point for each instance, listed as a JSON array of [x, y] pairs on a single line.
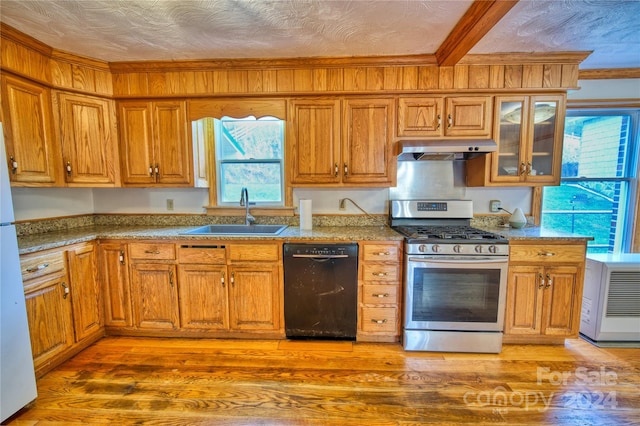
[[544, 125]]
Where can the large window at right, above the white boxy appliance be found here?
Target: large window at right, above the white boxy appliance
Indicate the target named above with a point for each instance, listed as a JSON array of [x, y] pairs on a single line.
[[599, 179]]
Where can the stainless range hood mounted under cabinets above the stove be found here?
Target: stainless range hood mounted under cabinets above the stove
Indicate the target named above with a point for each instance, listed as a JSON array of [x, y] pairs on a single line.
[[444, 149]]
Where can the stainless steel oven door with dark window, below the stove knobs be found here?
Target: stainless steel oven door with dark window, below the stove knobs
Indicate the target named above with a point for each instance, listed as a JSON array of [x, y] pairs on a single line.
[[455, 293]]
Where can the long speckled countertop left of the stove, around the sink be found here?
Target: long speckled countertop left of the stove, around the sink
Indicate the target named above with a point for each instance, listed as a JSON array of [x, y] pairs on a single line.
[[49, 240]]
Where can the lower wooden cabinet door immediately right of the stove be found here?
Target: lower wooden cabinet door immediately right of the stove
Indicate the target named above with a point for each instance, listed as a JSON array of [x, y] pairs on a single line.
[[524, 300]]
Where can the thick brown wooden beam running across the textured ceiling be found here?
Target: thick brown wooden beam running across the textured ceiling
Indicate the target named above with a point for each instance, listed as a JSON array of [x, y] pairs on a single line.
[[477, 21]]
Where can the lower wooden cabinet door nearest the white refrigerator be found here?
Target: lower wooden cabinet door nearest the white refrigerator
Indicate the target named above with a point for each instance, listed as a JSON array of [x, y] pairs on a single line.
[[50, 318]]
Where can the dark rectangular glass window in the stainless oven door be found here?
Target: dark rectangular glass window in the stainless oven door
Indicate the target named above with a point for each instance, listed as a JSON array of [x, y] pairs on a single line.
[[467, 295]]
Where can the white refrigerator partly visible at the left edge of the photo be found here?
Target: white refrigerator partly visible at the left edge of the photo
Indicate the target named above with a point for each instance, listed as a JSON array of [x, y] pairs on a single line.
[[17, 376]]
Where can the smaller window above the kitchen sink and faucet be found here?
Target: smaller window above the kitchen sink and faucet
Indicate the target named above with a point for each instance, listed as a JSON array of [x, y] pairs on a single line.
[[249, 153]]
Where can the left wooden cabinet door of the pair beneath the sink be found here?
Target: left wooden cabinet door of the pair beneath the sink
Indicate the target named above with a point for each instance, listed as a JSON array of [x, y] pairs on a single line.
[[203, 297]]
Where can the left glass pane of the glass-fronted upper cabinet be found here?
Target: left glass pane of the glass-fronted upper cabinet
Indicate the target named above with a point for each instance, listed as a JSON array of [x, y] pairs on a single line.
[[511, 125]]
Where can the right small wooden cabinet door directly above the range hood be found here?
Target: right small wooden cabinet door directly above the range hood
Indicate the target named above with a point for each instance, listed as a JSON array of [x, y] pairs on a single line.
[[468, 116]]
